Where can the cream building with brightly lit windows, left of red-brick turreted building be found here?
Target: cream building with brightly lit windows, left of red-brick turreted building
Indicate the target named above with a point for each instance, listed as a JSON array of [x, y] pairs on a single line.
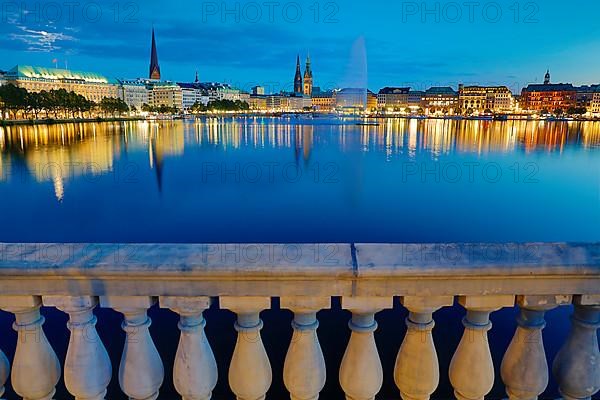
[[479, 99]]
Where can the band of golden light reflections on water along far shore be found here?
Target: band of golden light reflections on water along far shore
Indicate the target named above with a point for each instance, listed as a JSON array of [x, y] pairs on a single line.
[[57, 153]]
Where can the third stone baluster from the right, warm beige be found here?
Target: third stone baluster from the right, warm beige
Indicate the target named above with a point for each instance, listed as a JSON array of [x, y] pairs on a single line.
[[471, 368]]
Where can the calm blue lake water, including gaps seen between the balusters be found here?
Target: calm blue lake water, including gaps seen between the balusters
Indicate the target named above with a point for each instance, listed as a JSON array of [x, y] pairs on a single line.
[[285, 180]]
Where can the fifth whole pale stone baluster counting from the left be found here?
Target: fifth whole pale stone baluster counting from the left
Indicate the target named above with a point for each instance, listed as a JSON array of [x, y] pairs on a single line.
[[250, 373]]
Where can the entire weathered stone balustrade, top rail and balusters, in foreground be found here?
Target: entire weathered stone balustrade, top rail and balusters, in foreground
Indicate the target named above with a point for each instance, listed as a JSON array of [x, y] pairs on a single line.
[[188, 279]]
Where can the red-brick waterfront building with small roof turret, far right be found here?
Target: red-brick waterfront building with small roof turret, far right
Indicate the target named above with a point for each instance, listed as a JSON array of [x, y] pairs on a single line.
[[548, 96]]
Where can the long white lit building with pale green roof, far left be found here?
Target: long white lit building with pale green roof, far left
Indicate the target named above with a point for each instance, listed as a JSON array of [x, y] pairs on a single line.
[[90, 85]]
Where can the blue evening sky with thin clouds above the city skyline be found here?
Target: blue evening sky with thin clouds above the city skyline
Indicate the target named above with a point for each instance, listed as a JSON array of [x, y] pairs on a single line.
[[395, 43]]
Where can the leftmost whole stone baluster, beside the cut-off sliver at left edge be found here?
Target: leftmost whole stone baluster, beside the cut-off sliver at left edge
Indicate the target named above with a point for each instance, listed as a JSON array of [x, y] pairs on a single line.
[[36, 369]]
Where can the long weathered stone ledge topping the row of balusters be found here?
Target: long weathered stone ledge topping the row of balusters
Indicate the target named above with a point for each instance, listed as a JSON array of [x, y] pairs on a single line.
[[366, 270]]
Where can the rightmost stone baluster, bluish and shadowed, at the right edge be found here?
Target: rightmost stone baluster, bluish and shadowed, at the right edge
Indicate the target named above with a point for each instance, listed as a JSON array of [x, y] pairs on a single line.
[[577, 365]]
